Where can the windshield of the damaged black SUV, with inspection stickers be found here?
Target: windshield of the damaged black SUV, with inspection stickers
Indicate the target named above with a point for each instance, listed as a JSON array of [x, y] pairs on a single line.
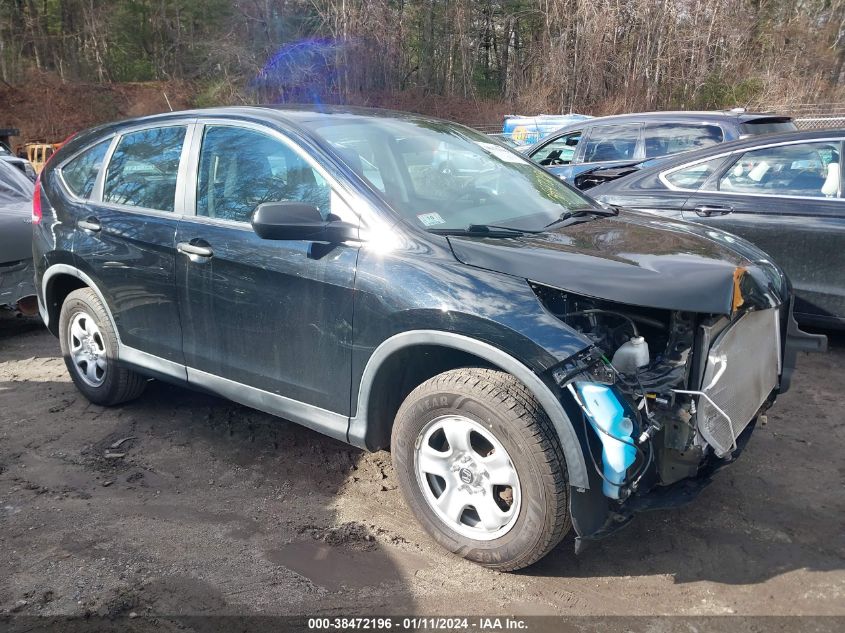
[[443, 176]]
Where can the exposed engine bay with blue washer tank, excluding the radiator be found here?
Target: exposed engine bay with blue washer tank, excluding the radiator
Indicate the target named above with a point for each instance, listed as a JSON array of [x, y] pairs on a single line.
[[654, 361]]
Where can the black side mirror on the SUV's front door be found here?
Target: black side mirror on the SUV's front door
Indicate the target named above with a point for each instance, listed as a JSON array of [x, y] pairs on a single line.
[[299, 221]]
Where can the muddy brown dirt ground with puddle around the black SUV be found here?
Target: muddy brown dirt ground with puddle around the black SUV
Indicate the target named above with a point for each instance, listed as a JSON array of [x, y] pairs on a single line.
[[210, 507]]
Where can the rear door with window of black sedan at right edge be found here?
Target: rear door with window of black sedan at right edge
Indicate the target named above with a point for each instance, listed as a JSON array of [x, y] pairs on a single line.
[[786, 199]]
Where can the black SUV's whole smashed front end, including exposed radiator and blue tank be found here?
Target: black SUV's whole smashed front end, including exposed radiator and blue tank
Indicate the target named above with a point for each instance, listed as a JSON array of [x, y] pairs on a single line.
[[663, 398]]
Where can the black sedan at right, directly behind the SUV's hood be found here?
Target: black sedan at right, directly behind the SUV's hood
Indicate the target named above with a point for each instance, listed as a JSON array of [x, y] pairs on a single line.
[[782, 192]]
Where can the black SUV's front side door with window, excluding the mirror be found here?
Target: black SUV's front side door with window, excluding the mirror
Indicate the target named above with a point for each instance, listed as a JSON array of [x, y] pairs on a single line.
[[267, 322]]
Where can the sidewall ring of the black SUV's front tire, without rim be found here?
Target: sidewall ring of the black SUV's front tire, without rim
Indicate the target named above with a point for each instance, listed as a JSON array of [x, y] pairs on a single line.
[[526, 533]]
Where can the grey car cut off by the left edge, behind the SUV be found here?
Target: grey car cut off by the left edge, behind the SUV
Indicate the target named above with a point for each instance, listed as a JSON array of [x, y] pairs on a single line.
[[16, 271]]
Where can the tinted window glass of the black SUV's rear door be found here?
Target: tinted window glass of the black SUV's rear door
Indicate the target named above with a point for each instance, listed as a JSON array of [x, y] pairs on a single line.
[[142, 171]]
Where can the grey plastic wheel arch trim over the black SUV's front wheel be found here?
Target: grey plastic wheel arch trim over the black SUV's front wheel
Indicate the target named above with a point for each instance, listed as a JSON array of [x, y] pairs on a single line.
[[570, 443]]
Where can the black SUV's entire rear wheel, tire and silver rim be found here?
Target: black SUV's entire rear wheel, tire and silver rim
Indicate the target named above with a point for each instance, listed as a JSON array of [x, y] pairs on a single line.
[[89, 347]]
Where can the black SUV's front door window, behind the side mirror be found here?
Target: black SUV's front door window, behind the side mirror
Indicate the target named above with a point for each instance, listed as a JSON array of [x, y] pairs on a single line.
[[241, 169]]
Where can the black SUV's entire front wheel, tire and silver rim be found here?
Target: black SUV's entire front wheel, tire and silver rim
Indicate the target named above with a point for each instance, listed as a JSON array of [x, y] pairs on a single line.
[[498, 428]]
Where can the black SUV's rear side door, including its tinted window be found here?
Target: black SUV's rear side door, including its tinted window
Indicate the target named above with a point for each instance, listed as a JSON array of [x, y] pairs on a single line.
[[125, 236]]
